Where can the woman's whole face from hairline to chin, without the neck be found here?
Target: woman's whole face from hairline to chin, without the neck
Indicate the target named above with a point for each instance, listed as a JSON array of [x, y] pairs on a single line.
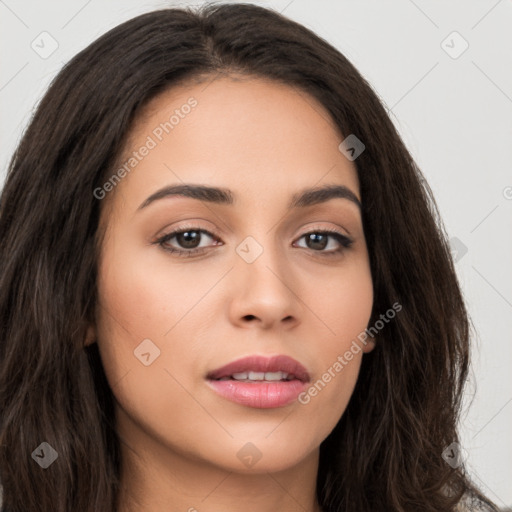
[[250, 276]]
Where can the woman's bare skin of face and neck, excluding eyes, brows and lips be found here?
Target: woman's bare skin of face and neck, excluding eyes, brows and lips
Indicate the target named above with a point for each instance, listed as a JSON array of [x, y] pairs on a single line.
[[265, 141]]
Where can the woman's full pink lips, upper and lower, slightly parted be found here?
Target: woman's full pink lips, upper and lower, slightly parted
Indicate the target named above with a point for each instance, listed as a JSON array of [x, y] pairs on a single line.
[[264, 394]]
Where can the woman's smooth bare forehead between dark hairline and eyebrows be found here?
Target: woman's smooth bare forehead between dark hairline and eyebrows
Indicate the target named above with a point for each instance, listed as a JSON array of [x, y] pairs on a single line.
[[260, 138]]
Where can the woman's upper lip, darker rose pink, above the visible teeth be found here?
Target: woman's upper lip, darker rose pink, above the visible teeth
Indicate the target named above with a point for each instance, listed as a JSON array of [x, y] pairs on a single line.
[[258, 363]]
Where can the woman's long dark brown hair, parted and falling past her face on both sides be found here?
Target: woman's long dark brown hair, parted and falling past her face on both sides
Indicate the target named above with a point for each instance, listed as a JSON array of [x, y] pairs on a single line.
[[386, 452]]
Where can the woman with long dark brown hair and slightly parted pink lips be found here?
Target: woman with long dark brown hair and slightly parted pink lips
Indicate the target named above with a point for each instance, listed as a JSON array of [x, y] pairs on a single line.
[[224, 284]]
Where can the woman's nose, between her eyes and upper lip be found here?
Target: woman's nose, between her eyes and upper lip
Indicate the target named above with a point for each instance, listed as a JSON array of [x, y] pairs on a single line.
[[265, 292]]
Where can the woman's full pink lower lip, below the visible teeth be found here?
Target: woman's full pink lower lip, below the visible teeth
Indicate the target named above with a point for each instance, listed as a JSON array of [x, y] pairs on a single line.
[[260, 395]]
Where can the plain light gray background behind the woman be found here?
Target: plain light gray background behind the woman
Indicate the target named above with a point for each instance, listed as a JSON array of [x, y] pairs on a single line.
[[455, 115]]
